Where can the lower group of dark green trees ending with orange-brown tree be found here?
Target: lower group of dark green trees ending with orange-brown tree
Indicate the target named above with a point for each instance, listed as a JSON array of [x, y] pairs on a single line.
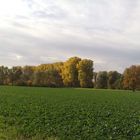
[[130, 79]]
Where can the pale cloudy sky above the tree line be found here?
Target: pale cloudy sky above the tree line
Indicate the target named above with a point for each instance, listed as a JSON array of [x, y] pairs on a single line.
[[33, 32]]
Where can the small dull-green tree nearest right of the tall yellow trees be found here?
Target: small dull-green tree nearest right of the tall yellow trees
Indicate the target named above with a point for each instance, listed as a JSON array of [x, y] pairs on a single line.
[[102, 79]]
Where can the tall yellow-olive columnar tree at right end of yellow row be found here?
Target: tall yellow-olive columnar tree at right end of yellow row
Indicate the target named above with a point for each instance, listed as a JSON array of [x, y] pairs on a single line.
[[85, 73]]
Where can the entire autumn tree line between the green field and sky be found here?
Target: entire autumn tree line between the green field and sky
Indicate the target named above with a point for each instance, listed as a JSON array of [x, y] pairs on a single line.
[[75, 72]]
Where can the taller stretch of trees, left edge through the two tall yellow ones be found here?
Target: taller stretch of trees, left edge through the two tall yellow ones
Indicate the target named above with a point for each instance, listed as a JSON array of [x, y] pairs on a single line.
[[75, 72]]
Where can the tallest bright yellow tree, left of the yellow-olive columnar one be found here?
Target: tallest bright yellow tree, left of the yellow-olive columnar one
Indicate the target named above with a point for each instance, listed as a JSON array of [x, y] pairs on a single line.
[[70, 72]]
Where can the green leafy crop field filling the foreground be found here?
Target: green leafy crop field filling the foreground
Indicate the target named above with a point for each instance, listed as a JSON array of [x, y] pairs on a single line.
[[68, 114]]
